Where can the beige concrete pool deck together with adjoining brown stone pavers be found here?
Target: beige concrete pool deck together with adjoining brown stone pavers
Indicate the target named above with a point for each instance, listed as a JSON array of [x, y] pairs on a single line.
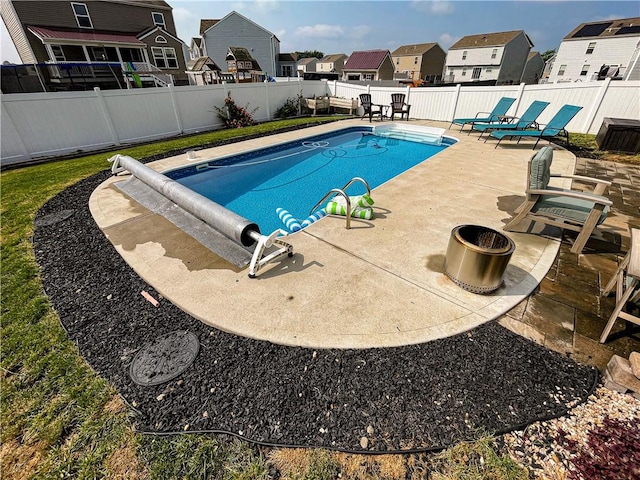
[[381, 283]]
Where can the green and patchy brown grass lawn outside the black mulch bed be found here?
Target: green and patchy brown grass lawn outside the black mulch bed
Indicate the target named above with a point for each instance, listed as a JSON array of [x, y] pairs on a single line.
[[61, 420]]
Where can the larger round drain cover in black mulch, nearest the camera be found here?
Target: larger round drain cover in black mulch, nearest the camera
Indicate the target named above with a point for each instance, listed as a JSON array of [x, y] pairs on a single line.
[[164, 359]]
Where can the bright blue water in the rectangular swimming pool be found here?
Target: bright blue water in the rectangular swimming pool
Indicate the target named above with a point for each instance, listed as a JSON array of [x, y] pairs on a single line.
[[296, 175]]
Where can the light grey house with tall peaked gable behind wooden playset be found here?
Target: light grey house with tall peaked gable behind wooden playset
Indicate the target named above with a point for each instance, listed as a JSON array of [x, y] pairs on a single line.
[[235, 30]]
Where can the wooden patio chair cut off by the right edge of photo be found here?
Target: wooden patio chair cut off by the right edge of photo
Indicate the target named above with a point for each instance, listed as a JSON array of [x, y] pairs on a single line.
[[627, 283]]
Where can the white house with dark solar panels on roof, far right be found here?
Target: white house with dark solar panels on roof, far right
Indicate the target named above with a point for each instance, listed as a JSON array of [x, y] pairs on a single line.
[[598, 50]]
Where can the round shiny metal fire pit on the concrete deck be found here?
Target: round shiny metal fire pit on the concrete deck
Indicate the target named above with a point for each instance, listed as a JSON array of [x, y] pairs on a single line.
[[477, 258]]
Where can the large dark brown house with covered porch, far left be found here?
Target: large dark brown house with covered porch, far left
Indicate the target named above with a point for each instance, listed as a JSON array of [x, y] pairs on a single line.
[[106, 44]]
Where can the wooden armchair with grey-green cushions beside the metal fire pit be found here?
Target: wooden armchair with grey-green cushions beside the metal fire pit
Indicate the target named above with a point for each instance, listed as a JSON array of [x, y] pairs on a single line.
[[565, 208]]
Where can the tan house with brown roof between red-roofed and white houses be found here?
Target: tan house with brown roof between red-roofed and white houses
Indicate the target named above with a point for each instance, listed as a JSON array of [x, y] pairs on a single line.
[[423, 61]]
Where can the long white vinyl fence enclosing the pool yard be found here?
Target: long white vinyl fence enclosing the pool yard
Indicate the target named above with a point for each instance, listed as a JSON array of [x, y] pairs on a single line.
[[48, 124]]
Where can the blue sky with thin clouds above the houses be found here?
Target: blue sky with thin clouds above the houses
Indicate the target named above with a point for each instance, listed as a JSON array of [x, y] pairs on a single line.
[[335, 26]]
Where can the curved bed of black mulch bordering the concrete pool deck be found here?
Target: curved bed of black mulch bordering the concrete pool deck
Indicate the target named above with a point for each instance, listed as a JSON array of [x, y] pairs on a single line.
[[414, 397]]
